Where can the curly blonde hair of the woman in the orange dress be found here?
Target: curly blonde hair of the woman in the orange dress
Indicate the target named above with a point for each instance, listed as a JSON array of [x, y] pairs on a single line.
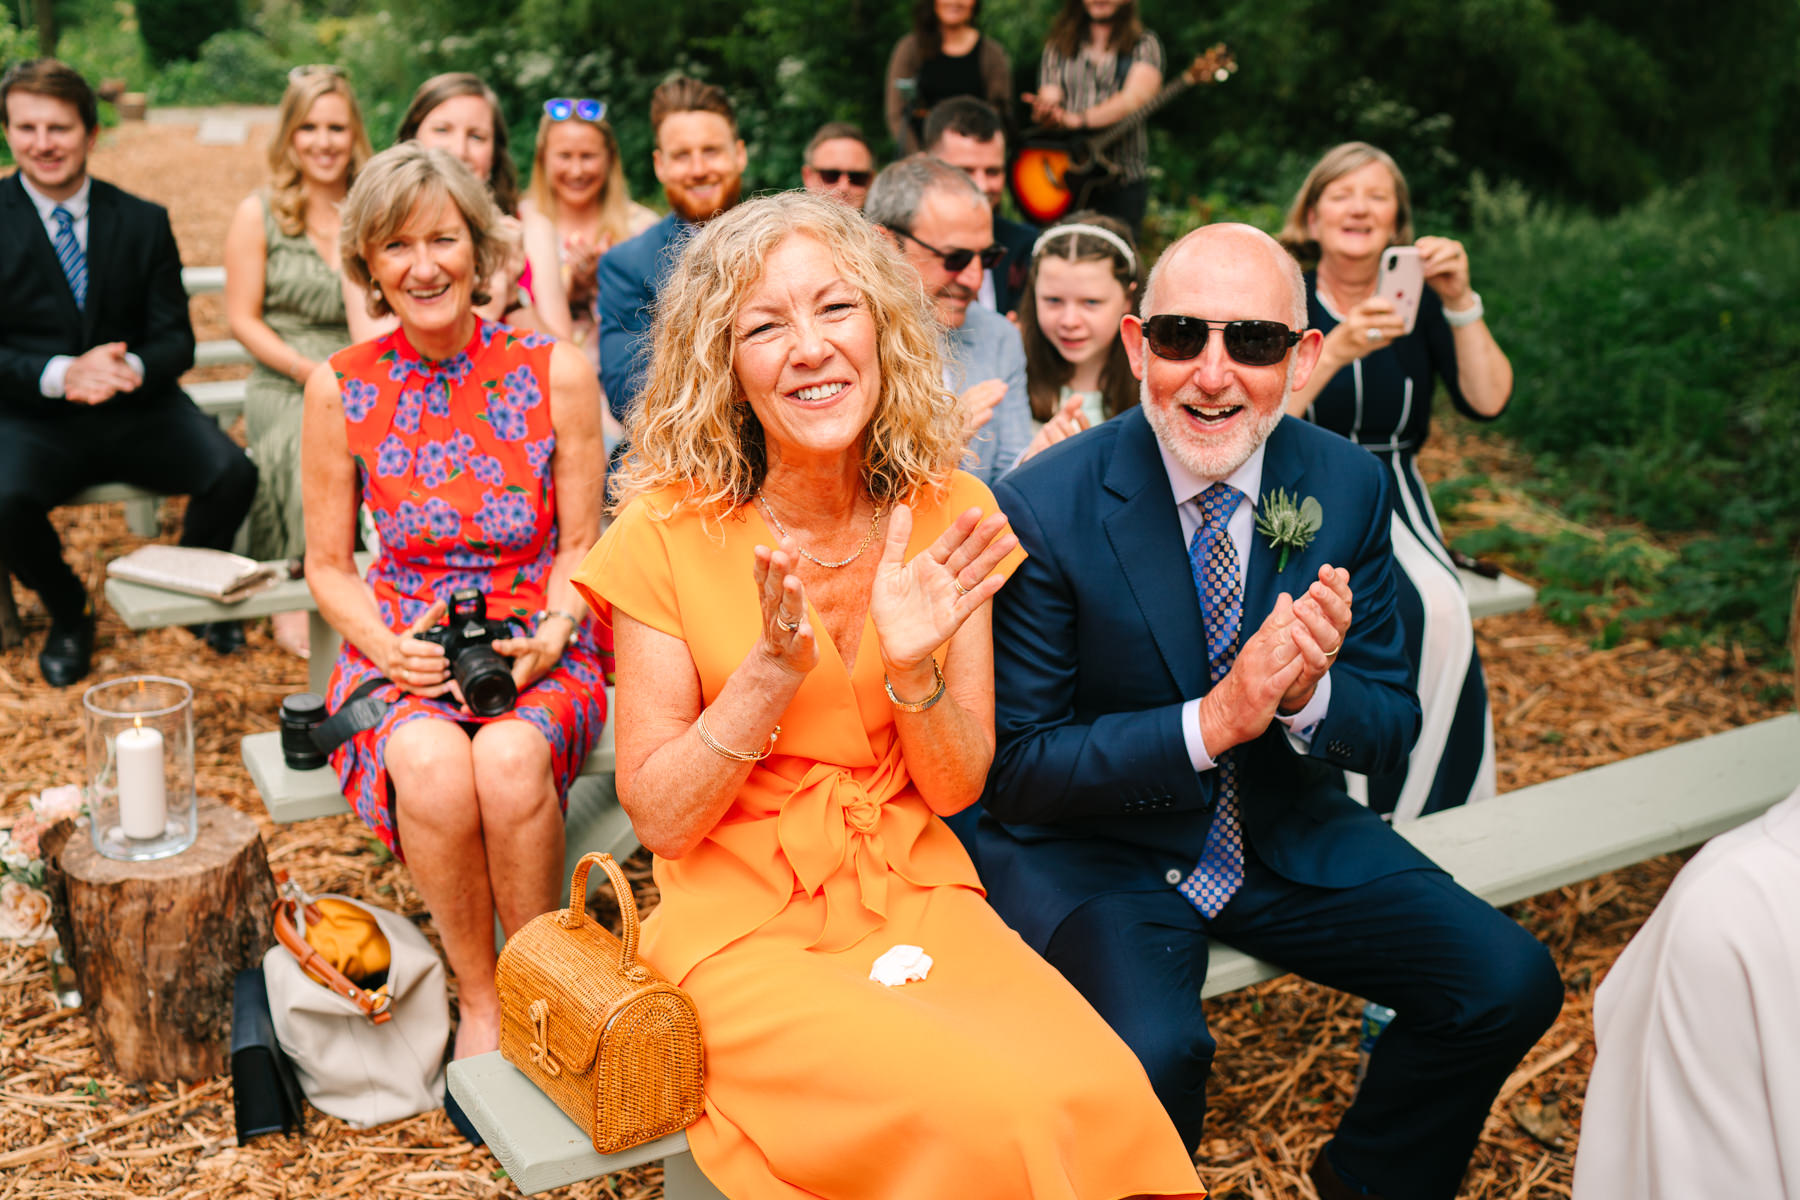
[[692, 427]]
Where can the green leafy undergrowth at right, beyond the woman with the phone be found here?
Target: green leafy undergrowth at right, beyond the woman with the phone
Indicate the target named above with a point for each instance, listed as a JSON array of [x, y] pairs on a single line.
[[1659, 368]]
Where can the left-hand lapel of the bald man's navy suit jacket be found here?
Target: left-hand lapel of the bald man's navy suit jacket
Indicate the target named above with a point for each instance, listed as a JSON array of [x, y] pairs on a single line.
[[1146, 535]]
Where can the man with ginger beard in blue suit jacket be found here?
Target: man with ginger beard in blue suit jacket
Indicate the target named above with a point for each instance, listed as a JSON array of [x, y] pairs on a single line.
[[699, 159]]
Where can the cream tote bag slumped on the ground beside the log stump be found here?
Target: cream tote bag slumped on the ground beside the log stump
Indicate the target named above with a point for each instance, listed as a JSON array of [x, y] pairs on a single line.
[[354, 1068]]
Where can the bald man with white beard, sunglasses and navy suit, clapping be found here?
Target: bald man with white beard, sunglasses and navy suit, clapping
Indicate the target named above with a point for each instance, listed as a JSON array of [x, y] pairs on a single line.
[[1173, 731]]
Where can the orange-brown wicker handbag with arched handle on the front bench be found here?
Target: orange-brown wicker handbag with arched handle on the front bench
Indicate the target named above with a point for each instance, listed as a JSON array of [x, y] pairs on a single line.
[[615, 1044]]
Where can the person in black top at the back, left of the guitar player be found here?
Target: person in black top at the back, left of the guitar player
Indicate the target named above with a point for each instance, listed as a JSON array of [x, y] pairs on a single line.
[[944, 57]]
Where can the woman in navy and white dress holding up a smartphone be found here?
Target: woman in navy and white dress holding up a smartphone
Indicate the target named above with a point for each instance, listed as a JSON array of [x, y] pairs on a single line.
[[1374, 386]]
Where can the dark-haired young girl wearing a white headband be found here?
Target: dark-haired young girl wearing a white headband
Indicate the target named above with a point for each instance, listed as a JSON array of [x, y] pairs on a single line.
[[1084, 278]]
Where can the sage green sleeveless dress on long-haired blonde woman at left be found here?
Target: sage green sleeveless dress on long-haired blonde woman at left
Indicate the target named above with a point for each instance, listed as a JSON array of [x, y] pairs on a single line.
[[303, 301]]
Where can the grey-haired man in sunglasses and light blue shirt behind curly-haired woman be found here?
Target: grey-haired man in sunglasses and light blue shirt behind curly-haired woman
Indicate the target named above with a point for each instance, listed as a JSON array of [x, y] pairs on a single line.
[[942, 226]]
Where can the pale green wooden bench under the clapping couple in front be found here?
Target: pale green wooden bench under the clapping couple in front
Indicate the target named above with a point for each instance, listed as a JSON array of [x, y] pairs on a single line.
[[1520, 845]]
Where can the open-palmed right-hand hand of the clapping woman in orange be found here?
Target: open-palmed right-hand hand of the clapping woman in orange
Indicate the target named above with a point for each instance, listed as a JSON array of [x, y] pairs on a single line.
[[919, 605]]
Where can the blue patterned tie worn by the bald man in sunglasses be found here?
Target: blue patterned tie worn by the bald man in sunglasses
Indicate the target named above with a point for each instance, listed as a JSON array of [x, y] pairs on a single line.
[[1214, 560]]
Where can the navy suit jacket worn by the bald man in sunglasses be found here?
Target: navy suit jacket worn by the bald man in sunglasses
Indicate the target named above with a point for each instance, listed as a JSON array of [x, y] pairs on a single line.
[[1099, 641]]
